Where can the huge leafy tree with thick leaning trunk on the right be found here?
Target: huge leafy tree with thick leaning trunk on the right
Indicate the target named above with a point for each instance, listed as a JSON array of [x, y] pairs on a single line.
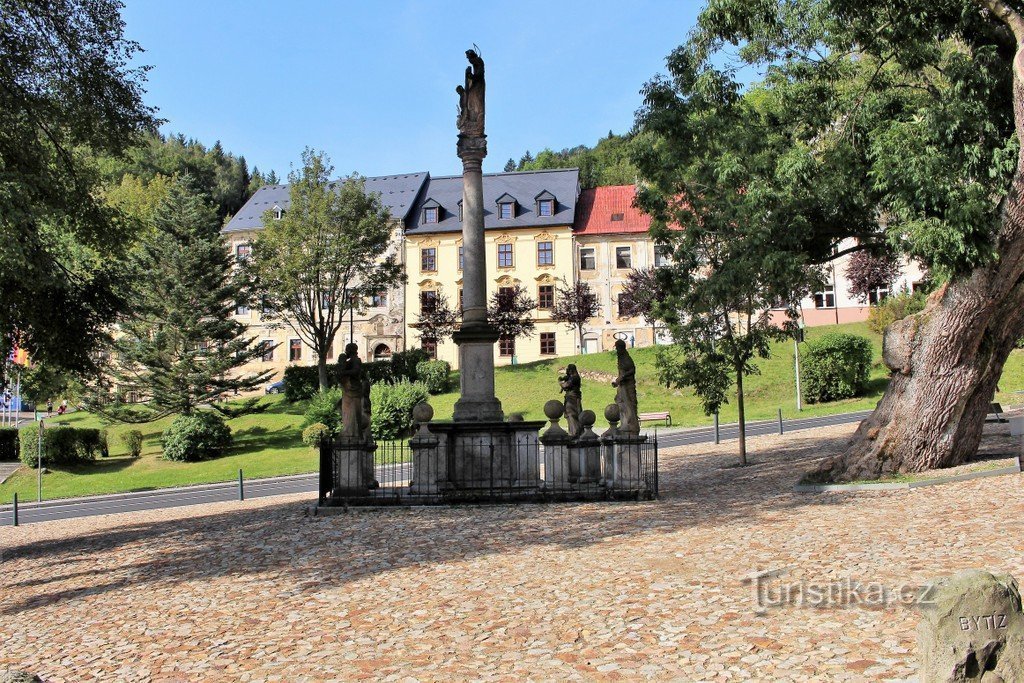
[[868, 111]]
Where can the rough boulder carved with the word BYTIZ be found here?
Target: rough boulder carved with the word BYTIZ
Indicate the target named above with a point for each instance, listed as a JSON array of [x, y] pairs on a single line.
[[972, 629]]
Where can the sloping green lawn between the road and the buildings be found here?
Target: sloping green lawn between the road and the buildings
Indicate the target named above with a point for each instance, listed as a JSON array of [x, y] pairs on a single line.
[[270, 444]]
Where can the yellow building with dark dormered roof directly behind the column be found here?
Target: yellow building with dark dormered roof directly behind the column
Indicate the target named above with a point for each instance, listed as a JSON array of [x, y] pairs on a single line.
[[529, 219]]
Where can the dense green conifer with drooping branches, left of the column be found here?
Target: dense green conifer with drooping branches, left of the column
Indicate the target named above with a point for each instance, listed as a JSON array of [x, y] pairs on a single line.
[[182, 348]]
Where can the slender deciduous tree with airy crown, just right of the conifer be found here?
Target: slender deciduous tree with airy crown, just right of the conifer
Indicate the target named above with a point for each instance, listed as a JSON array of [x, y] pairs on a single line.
[[332, 246]]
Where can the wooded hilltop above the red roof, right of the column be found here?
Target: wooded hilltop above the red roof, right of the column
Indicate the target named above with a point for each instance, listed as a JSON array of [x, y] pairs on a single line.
[[608, 163]]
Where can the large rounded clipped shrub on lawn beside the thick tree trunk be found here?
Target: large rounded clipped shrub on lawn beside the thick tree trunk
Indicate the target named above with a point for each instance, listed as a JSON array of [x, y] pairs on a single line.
[[837, 366]]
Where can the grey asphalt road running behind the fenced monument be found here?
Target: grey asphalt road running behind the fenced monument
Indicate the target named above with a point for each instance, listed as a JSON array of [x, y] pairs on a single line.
[[307, 484]]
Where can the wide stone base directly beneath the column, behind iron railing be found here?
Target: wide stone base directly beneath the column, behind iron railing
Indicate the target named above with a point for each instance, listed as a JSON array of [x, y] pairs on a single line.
[[490, 456]]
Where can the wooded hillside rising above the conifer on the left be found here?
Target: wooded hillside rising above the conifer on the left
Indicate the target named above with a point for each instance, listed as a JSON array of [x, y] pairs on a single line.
[[137, 183]]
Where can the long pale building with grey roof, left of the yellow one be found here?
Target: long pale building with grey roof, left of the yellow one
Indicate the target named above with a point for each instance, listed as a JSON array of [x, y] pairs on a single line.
[[379, 329]]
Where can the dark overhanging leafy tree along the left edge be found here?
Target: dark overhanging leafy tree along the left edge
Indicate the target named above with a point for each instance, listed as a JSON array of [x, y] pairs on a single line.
[[68, 91]]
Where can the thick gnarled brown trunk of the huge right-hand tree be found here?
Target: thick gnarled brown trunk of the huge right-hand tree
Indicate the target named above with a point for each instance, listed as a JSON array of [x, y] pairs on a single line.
[[947, 361]]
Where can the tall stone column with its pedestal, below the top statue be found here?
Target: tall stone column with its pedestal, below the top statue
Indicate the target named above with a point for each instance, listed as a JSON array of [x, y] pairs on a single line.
[[477, 337]]
